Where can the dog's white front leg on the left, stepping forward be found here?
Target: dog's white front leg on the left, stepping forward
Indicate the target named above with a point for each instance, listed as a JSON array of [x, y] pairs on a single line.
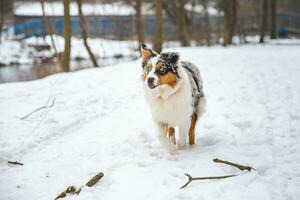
[[162, 136]]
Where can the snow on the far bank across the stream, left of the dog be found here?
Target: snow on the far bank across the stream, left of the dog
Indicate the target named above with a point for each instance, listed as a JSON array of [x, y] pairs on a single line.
[[13, 52]]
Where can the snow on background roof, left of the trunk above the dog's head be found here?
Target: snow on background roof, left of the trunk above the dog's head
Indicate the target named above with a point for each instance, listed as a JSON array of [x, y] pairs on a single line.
[[56, 9]]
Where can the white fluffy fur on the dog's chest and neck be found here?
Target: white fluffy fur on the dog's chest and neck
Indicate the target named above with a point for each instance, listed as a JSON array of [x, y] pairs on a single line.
[[176, 108]]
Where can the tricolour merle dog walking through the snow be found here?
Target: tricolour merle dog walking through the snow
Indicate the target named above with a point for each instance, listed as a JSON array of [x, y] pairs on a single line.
[[174, 92]]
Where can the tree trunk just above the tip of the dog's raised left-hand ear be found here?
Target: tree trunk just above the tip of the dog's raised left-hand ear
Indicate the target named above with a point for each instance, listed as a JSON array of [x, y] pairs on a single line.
[[139, 21]]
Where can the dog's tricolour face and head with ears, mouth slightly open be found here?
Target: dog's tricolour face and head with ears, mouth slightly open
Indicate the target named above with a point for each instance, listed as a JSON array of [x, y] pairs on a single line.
[[159, 69]]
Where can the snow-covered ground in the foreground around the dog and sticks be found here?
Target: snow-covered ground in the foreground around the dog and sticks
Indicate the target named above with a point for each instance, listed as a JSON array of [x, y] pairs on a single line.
[[100, 122]]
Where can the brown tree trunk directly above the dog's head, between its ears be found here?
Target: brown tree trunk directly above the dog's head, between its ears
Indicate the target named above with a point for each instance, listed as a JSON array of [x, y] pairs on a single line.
[[159, 26]]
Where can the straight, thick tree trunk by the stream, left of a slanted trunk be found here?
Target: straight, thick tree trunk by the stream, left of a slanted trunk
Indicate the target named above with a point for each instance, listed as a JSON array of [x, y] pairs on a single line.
[[67, 36]]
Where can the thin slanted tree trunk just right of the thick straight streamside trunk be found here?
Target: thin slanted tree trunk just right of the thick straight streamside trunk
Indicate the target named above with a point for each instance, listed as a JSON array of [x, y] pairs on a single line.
[[84, 32]]
